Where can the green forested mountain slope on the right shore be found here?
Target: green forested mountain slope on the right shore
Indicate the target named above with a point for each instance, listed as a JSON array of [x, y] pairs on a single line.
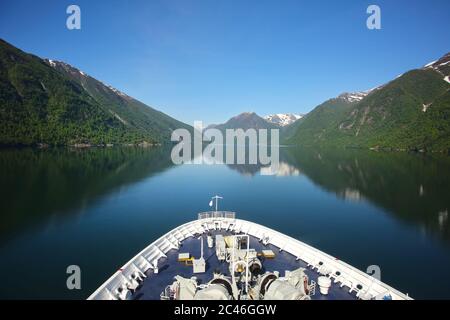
[[411, 112]]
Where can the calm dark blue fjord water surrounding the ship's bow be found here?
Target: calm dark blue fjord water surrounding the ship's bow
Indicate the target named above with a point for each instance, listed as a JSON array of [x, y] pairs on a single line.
[[97, 208]]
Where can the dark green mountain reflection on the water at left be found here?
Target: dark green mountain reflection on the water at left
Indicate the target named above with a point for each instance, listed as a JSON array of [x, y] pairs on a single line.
[[38, 183]]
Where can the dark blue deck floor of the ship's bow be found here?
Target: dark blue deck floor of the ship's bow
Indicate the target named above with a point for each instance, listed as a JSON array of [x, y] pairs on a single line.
[[169, 267]]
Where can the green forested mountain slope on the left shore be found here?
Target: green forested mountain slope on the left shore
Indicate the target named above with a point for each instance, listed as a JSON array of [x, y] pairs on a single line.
[[46, 102]]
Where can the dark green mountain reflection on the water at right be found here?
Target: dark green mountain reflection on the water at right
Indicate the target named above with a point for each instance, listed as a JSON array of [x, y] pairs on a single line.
[[413, 187]]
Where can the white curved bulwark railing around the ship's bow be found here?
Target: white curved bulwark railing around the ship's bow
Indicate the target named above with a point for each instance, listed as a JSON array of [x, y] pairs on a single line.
[[344, 274]]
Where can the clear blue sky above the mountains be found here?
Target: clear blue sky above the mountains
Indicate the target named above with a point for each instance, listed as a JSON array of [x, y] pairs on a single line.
[[210, 60]]
